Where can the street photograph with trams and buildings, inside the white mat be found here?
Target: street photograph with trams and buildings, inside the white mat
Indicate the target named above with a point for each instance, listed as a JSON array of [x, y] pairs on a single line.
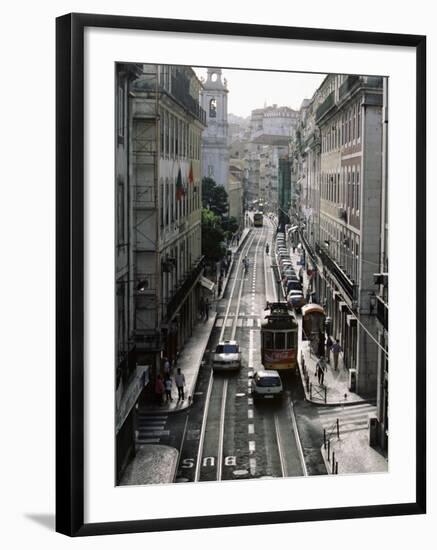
[[251, 274]]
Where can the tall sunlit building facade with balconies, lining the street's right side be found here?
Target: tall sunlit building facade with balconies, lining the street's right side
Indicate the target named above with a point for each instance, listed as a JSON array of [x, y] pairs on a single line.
[[338, 169]]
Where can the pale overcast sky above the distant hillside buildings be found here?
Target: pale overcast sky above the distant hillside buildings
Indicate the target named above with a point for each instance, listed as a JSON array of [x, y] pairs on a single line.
[[250, 90]]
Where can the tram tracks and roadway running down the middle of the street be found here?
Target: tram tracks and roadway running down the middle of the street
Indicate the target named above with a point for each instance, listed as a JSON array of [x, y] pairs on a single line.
[[270, 449]]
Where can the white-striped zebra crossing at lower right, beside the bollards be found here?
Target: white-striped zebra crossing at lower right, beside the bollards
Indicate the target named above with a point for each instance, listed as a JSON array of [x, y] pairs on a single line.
[[351, 418]]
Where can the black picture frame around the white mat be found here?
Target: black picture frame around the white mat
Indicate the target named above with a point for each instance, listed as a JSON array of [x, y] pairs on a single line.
[[70, 272]]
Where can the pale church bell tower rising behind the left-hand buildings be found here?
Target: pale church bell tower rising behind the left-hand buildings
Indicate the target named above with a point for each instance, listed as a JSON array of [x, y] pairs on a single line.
[[215, 151]]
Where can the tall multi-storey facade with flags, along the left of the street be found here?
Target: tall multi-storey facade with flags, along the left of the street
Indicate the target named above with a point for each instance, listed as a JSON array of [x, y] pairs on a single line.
[[162, 216]]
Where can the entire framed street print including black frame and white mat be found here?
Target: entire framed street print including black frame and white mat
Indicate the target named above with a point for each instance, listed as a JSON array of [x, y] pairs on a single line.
[[237, 207]]
